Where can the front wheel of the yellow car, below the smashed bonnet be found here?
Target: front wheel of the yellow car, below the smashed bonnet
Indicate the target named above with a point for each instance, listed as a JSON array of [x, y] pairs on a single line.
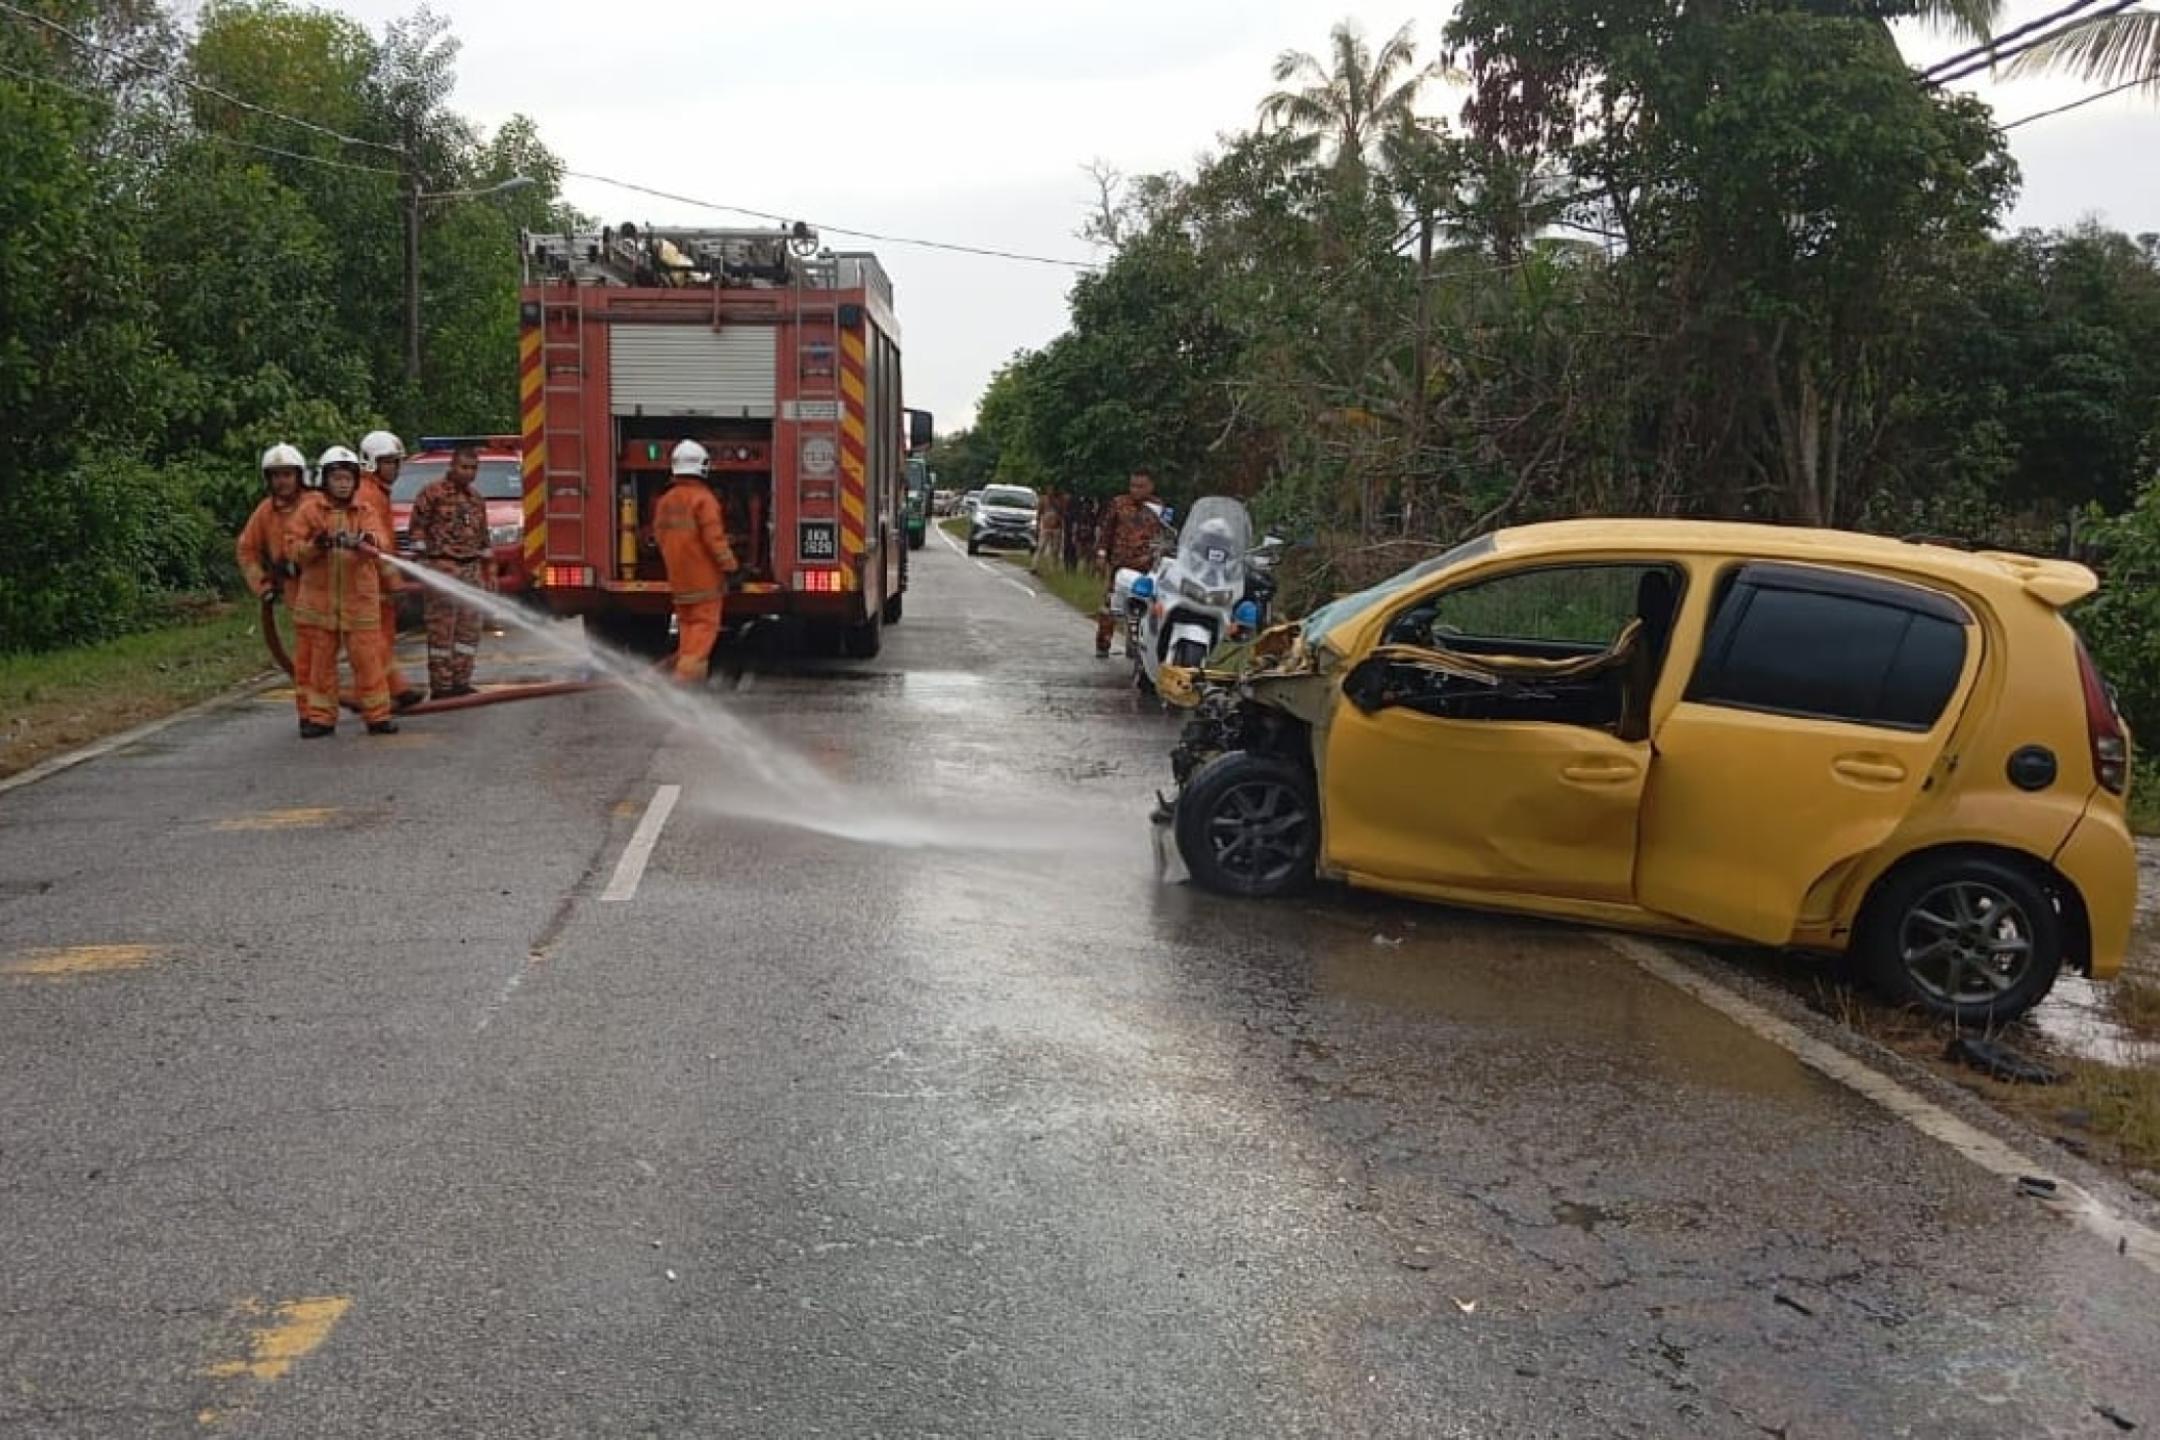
[[1250, 826]]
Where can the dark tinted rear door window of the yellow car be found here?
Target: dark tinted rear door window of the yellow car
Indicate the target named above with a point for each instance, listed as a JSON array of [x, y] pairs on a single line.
[[1833, 647]]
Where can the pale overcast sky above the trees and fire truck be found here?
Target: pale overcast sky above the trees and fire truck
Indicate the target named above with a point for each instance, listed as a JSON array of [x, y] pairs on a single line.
[[973, 120]]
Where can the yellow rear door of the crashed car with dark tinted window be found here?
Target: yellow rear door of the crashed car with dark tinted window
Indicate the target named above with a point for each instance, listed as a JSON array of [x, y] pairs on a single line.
[[1818, 714]]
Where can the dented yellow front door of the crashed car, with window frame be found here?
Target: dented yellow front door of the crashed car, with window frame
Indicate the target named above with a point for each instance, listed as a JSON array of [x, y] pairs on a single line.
[[1517, 785]]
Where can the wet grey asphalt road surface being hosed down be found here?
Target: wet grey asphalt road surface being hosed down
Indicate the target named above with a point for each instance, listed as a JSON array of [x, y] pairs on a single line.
[[336, 1100]]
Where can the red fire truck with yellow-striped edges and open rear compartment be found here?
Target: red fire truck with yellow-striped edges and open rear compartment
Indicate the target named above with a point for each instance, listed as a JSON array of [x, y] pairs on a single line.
[[774, 353]]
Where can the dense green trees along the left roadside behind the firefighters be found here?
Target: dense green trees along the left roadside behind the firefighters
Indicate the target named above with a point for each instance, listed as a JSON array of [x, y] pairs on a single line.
[[174, 297]]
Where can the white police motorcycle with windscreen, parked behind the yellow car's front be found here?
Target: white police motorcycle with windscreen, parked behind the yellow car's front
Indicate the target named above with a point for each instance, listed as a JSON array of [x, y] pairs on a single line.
[[1211, 586]]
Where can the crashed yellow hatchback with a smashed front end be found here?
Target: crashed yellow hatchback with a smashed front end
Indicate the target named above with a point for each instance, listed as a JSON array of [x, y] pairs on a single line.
[[1792, 737]]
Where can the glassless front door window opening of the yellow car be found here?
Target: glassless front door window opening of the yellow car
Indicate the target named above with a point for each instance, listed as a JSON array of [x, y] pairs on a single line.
[[1580, 608]]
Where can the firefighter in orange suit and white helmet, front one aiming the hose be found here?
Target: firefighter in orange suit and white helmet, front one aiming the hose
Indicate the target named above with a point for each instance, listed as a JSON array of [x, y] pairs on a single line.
[[340, 603]]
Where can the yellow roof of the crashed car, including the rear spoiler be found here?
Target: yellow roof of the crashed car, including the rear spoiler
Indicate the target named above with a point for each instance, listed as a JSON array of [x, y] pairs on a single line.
[[2055, 582]]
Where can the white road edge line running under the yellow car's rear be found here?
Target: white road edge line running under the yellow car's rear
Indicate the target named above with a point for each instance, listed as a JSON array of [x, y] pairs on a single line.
[[2068, 1199]]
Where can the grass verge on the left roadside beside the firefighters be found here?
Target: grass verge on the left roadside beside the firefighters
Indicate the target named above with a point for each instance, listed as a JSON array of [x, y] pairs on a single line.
[[66, 698]]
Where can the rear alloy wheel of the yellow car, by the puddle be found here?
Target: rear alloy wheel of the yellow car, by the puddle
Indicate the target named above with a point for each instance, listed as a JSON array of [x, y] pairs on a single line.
[[1969, 938]]
